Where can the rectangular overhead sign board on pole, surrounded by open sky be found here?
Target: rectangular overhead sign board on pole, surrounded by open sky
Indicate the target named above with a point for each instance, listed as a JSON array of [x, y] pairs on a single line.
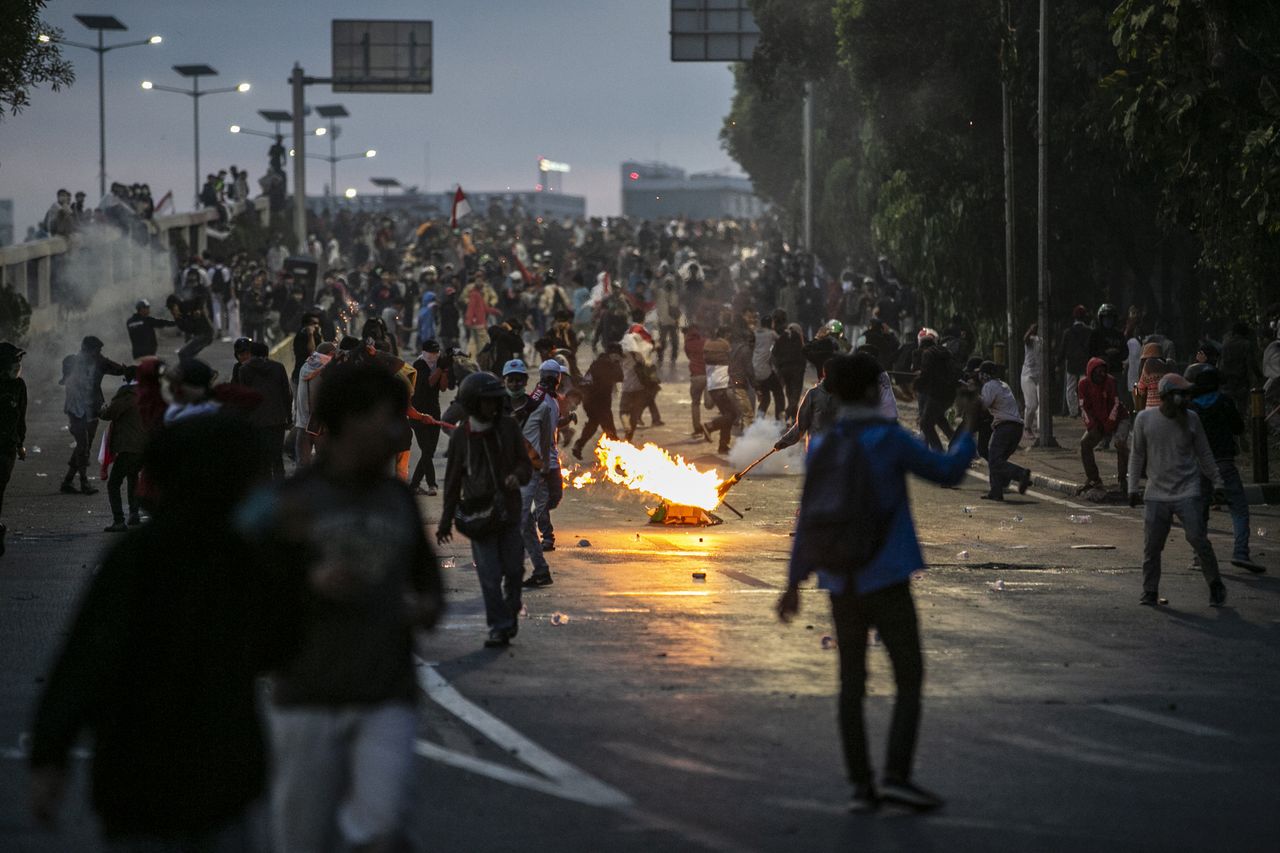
[[382, 57]]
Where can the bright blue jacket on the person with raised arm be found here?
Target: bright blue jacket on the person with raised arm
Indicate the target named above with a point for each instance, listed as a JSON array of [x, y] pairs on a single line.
[[893, 454]]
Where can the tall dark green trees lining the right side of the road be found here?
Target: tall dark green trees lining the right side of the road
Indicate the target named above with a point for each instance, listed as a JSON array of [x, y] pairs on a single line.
[[1164, 162]]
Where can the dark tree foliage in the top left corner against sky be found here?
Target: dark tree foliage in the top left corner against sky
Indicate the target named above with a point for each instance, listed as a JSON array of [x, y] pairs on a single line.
[[28, 62]]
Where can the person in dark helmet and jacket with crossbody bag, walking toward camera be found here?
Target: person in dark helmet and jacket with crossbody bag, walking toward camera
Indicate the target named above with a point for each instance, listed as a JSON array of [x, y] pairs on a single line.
[[487, 468]]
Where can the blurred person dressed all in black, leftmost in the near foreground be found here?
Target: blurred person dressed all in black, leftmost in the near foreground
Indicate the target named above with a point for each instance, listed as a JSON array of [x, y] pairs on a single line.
[[162, 660]]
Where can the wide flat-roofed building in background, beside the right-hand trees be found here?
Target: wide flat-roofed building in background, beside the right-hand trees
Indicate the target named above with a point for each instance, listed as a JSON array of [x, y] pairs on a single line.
[[662, 191]]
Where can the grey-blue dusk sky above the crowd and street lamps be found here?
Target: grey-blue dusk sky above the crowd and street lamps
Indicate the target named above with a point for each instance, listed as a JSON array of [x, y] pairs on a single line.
[[587, 83]]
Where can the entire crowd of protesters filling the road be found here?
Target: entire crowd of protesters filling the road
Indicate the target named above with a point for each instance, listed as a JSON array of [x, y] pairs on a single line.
[[319, 578]]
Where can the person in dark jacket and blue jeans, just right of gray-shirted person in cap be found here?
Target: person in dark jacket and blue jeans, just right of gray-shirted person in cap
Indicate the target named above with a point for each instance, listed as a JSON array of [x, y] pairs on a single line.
[[1223, 425]]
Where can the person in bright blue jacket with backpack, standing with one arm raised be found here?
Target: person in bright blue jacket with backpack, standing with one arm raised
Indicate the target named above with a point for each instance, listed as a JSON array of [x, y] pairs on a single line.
[[876, 594]]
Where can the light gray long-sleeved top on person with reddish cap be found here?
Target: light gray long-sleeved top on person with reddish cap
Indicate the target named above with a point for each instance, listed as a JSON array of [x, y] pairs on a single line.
[[1176, 455]]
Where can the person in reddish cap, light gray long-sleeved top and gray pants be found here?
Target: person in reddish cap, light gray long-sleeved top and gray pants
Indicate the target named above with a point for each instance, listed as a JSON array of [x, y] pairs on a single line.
[[1169, 443]]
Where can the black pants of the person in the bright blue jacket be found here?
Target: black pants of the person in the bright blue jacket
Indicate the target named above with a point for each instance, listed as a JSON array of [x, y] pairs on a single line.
[[893, 613]]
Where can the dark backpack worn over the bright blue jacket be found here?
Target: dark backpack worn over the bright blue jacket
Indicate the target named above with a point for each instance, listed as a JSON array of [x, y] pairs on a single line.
[[843, 523]]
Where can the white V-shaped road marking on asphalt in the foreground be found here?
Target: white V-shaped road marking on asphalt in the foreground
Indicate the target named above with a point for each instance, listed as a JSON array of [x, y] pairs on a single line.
[[559, 778]]
